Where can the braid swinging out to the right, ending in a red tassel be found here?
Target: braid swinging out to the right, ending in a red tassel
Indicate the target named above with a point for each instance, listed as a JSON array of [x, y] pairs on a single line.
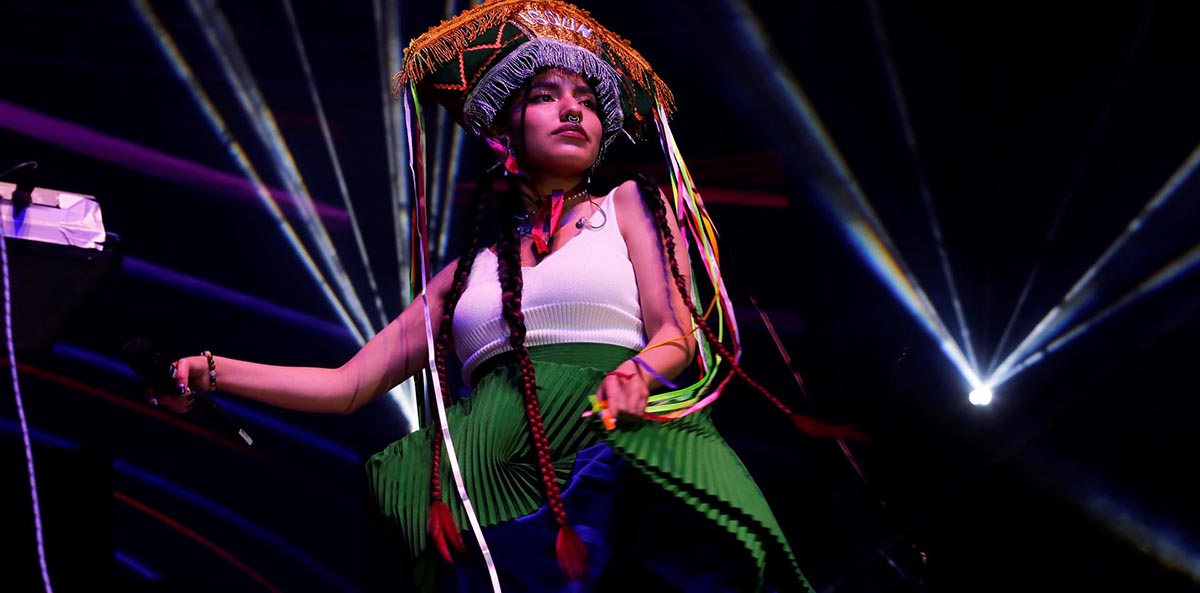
[[812, 427]]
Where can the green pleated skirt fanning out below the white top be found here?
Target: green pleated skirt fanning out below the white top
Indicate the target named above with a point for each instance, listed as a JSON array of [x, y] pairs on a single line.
[[686, 459]]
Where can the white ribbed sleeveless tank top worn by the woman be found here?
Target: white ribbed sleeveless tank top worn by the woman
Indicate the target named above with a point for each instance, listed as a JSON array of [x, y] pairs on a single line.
[[585, 292]]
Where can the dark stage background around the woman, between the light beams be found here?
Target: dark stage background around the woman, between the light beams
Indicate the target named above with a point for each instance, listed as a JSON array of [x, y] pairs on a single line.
[[1033, 133]]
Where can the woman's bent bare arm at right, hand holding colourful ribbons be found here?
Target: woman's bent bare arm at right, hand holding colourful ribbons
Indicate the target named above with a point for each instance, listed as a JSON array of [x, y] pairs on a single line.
[[664, 314]]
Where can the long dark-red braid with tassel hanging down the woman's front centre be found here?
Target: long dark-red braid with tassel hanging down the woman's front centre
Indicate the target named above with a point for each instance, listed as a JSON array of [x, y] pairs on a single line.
[[571, 550]]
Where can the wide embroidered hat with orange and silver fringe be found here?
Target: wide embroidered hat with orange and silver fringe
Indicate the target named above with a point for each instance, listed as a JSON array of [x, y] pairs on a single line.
[[475, 62]]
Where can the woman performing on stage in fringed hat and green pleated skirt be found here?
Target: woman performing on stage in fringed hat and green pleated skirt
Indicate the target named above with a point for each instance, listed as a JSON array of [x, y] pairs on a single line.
[[565, 327]]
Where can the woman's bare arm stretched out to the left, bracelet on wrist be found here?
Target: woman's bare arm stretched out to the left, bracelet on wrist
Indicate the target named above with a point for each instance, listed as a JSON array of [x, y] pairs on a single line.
[[388, 360]]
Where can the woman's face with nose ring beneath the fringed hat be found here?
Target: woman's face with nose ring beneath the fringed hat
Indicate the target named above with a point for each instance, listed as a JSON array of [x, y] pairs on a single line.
[[562, 125]]
